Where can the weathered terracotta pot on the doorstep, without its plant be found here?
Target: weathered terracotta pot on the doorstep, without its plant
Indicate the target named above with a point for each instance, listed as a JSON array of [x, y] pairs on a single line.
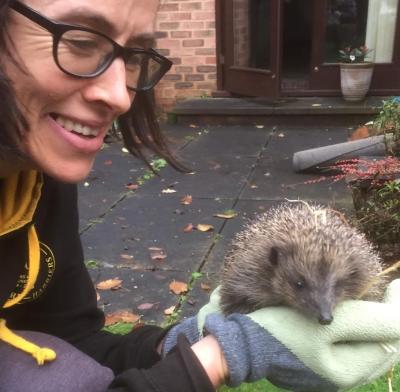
[[355, 80]]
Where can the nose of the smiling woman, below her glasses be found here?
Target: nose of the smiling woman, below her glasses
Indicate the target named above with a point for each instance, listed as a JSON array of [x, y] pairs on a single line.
[[110, 88]]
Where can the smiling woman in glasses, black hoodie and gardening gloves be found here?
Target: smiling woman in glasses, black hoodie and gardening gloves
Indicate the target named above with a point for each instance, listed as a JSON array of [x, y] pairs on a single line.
[[68, 71]]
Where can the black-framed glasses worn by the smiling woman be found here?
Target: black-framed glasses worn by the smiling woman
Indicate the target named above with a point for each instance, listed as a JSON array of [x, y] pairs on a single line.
[[85, 53]]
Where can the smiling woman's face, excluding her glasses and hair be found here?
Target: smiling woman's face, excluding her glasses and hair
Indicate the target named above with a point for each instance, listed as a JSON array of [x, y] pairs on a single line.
[[59, 108]]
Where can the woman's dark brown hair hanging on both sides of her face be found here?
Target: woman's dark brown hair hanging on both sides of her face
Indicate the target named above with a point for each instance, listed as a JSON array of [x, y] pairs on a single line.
[[140, 130]]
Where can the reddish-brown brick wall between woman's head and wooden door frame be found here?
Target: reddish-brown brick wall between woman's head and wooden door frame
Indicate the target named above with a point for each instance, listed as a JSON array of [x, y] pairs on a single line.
[[186, 35]]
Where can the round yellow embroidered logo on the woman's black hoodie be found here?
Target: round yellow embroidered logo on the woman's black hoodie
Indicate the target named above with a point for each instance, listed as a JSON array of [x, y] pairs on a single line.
[[47, 267]]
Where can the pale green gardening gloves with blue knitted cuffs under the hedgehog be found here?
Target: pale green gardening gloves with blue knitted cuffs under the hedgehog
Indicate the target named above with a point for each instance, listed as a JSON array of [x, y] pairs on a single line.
[[297, 353]]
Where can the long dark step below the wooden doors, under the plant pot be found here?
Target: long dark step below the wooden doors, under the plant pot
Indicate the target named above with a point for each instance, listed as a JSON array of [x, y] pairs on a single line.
[[308, 111]]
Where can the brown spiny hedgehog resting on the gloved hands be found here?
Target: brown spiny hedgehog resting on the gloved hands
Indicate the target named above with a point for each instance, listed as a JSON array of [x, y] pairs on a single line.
[[305, 256]]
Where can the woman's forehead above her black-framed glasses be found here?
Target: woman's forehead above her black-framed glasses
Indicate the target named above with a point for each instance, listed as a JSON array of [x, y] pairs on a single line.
[[117, 18]]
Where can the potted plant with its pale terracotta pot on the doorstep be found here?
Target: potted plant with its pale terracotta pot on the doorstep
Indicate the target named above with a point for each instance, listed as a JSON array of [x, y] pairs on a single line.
[[355, 73]]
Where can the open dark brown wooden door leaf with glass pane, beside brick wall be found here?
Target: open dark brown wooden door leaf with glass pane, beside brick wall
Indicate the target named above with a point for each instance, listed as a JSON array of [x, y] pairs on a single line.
[[250, 53]]
